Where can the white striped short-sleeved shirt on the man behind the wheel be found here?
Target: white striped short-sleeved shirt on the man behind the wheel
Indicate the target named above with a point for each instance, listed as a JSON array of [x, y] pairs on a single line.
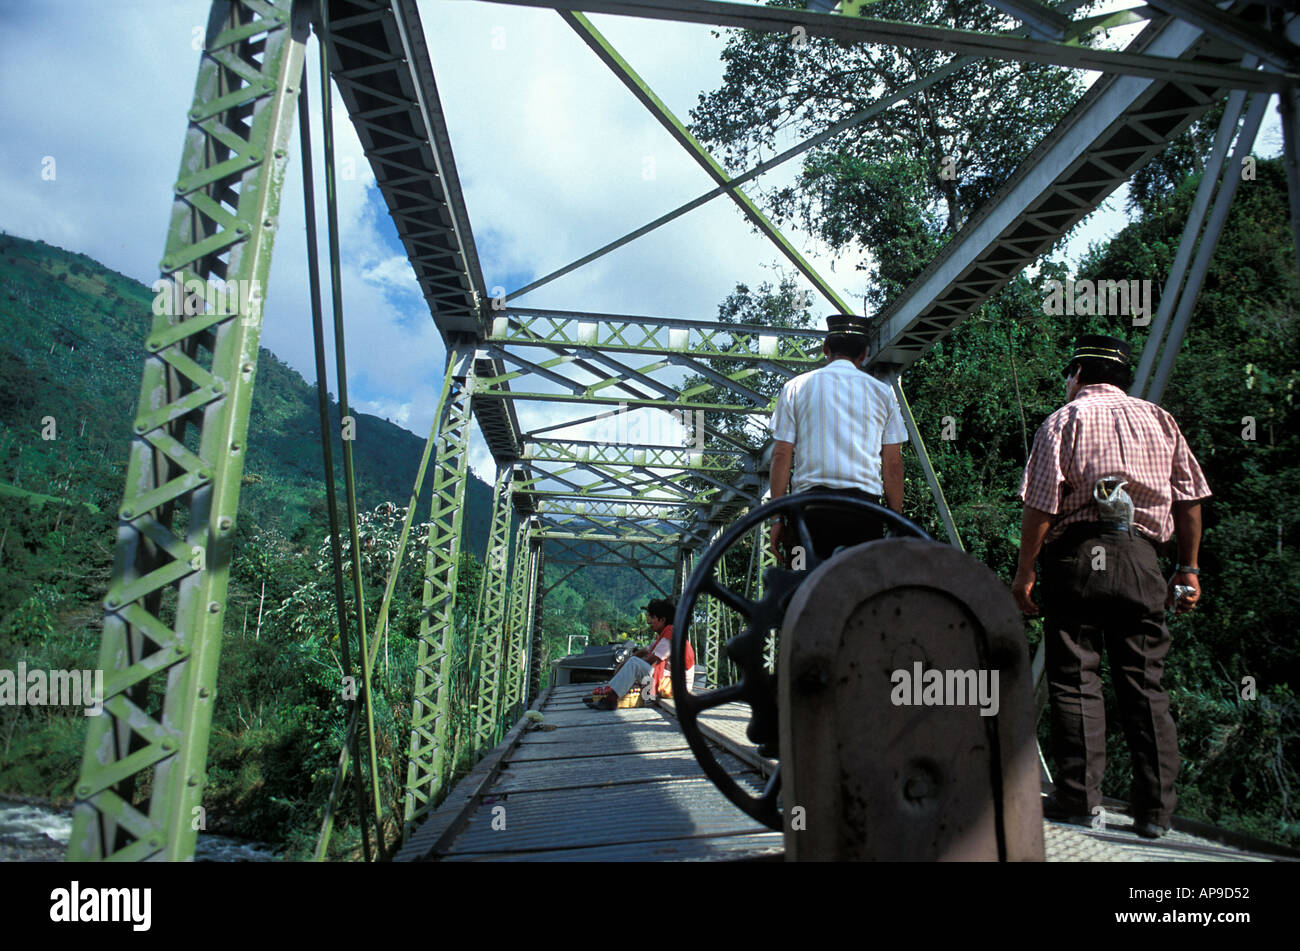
[[838, 419]]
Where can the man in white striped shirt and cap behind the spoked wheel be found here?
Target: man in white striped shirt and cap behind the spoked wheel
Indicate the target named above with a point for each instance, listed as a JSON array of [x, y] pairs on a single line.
[[838, 428]]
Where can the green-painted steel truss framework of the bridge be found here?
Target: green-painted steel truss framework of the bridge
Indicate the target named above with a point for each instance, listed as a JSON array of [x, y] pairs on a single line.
[[571, 502]]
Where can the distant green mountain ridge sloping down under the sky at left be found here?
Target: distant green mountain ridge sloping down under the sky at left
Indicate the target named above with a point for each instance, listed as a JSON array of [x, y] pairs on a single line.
[[73, 353]]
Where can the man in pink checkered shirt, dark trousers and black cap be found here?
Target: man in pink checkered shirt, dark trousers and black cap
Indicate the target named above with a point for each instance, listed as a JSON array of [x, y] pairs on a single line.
[[1110, 479]]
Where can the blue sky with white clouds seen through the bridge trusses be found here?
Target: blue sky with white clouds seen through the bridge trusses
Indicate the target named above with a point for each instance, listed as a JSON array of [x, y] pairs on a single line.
[[552, 153]]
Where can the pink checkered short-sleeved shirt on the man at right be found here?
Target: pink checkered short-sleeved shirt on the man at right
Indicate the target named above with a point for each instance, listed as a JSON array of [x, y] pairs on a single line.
[[1104, 432]]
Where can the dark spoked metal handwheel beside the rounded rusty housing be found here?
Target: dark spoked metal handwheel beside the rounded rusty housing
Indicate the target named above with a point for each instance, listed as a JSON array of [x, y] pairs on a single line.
[[757, 687]]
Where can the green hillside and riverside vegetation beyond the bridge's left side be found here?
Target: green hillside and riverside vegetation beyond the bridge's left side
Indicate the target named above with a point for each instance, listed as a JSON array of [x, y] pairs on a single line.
[[71, 371]]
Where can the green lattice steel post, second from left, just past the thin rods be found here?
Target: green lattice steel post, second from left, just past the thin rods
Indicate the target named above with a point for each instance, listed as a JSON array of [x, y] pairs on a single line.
[[427, 767]]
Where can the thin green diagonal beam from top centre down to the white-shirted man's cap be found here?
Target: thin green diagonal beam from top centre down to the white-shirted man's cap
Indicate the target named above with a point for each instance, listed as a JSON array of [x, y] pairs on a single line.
[[640, 89]]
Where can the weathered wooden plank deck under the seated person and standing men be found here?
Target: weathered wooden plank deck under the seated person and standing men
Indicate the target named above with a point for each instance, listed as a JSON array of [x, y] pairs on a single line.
[[623, 787]]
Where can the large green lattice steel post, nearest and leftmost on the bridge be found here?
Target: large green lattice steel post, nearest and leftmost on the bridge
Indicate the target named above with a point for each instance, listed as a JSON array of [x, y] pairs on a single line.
[[142, 778]]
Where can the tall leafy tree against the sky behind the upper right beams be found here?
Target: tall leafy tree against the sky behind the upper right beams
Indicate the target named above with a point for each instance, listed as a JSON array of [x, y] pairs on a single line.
[[903, 183]]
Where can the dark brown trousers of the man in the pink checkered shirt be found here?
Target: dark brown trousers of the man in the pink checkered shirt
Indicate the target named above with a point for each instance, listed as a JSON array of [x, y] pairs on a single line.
[[1103, 589]]
